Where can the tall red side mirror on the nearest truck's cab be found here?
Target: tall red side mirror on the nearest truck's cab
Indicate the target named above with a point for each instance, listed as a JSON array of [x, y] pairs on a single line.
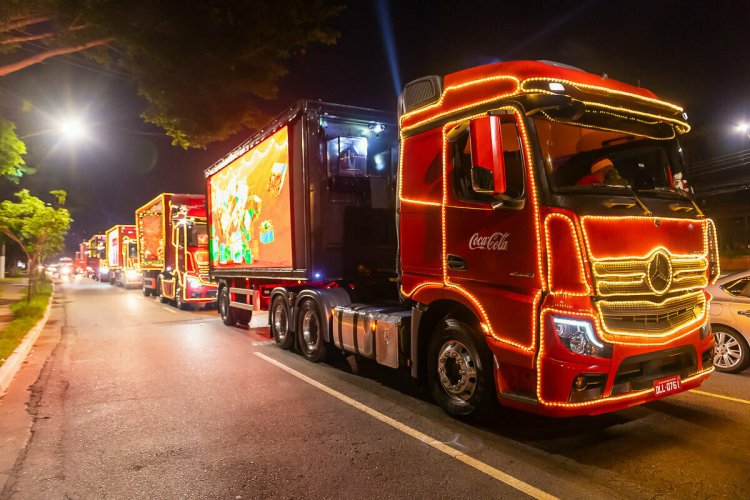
[[488, 162]]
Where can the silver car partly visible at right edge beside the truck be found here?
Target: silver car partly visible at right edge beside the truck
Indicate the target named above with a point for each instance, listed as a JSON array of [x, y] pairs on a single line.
[[730, 321]]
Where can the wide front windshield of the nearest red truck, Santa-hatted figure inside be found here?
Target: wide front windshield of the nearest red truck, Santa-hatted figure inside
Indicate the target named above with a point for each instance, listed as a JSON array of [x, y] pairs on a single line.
[[577, 157]]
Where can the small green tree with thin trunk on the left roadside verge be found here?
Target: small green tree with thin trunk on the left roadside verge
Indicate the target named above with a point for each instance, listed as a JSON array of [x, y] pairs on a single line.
[[38, 227]]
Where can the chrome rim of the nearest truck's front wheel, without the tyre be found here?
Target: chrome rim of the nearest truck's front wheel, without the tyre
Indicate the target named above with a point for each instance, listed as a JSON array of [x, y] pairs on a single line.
[[457, 370]]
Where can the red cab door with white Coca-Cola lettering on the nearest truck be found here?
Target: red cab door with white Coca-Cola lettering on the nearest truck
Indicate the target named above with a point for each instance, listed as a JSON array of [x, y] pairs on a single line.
[[491, 248]]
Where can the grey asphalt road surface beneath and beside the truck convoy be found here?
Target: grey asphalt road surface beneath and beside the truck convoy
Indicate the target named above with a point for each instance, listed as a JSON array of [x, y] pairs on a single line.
[[140, 400]]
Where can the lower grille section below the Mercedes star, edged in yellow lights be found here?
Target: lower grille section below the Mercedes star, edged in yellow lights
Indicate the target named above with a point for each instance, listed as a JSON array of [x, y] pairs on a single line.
[[623, 317]]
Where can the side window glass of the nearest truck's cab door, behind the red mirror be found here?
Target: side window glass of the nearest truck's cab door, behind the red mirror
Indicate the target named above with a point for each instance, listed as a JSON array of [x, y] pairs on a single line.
[[514, 165]]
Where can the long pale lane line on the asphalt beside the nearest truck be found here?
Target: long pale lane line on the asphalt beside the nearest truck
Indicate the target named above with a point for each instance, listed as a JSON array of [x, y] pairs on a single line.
[[419, 436]]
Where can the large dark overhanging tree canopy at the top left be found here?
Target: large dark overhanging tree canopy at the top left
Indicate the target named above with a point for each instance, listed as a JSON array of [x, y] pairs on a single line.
[[203, 67]]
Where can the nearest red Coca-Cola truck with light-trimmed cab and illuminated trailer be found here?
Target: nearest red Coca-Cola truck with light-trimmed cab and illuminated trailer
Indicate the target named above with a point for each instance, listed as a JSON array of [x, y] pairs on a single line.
[[525, 233]]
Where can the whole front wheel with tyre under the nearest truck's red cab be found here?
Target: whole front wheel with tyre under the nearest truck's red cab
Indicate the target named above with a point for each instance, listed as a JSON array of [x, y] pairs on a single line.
[[459, 370]]
